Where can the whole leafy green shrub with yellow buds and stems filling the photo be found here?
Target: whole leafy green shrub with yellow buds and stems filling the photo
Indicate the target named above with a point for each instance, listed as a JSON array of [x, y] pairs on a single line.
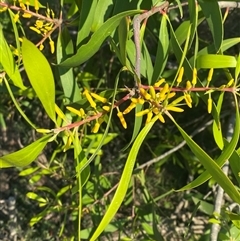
[[96, 68]]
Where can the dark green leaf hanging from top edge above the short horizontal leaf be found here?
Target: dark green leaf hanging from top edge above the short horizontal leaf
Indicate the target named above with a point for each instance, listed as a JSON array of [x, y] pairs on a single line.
[[213, 16]]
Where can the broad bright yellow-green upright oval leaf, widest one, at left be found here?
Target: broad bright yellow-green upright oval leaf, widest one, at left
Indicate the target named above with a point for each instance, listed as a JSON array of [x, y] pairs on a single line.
[[40, 76]]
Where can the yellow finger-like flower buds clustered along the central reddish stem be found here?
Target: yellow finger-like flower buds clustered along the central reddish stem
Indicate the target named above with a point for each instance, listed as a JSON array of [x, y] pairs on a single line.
[[155, 100]]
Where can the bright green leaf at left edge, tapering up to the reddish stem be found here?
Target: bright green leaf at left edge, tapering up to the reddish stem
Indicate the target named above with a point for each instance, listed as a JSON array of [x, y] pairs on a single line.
[[26, 155]]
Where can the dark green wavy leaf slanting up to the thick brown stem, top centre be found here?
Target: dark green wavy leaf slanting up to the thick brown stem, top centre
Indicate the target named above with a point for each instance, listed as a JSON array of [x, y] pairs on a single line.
[[87, 50]]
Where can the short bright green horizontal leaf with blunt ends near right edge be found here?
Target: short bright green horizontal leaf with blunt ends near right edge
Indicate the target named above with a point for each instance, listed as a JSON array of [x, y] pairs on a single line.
[[216, 61]]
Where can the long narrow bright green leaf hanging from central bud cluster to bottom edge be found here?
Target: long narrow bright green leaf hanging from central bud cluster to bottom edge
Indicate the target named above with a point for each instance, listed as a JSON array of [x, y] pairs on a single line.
[[124, 181]]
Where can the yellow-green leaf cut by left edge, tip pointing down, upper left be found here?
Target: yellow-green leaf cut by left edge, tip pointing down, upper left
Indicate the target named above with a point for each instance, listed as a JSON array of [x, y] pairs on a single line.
[[8, 63]]
